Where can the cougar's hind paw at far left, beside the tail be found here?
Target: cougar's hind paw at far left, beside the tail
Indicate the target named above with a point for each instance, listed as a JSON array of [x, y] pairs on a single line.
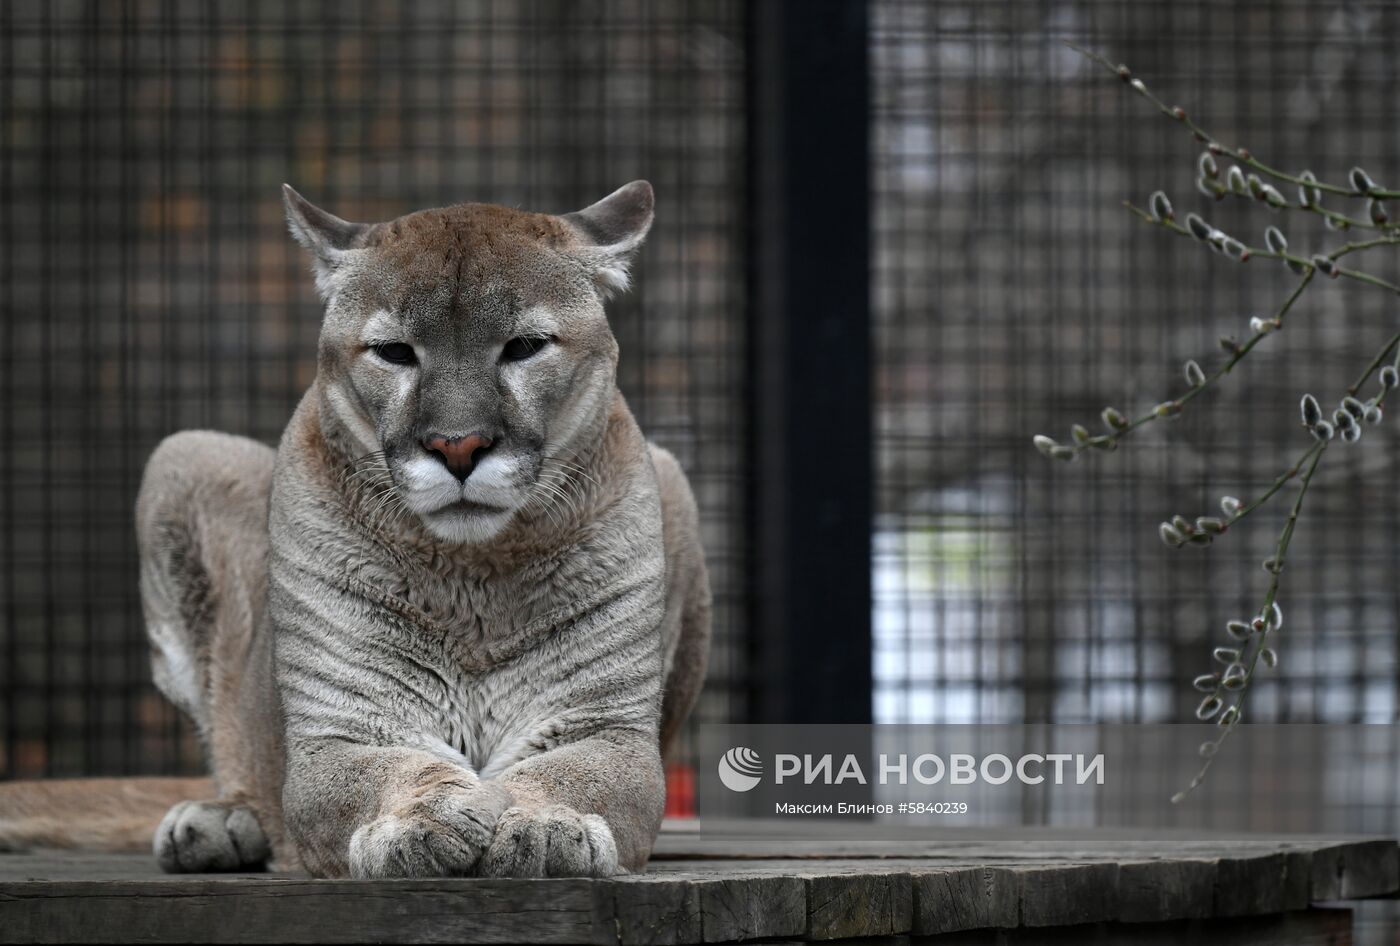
[[198, 838]]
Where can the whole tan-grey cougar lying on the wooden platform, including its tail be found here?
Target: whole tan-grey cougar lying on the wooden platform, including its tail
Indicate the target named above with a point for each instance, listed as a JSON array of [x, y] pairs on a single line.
[[451, 625]]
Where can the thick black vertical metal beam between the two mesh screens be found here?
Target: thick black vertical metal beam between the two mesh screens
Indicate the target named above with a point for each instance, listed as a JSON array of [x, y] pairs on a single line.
[[810, 360]]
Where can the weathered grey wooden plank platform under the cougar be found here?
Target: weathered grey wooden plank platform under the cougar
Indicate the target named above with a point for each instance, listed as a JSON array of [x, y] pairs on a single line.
[[743, 882]]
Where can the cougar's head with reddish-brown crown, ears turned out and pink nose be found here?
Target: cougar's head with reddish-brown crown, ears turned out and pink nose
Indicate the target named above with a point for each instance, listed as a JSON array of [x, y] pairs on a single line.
[[468, 346]]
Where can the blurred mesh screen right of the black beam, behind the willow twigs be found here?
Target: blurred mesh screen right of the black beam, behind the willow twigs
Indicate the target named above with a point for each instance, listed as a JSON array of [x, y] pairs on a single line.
[[1016, 296]]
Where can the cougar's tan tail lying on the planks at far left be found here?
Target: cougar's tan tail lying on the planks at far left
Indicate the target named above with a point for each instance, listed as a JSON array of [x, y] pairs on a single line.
[[92, 814]]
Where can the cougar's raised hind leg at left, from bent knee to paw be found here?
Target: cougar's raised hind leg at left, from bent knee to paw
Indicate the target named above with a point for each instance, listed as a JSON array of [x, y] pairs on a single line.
[[202, 532]]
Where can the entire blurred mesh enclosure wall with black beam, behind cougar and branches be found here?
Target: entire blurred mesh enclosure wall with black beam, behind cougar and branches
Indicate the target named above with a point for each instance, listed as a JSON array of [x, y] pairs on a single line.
[[890, 250]]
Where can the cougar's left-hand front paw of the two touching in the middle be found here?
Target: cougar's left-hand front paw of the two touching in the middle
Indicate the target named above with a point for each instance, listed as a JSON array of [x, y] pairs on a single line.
[[440, 835]]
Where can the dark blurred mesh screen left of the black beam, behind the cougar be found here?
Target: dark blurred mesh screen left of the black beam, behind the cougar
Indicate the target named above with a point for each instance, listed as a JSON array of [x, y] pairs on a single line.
[[149, 286]]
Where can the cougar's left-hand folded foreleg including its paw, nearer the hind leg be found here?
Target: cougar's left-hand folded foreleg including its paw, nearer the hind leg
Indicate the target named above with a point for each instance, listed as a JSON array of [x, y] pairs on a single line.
[[384, 812]]
